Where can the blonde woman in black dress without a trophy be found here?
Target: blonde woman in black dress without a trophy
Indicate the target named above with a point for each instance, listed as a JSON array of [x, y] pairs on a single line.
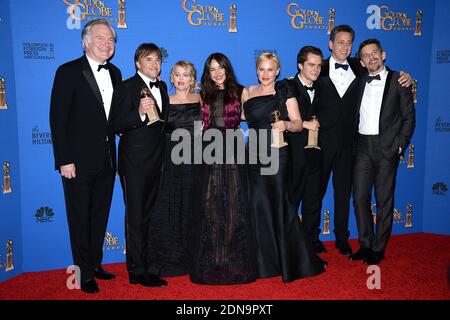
[[168, 251]]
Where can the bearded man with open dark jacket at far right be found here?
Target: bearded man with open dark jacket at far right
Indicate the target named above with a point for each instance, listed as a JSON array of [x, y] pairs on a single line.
[[385, 124]]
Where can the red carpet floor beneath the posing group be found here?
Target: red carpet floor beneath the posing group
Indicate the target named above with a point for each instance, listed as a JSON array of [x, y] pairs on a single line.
[[416, 266]]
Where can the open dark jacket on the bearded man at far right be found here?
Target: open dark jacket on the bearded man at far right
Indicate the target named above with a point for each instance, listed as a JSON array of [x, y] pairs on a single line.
[[397, 115]]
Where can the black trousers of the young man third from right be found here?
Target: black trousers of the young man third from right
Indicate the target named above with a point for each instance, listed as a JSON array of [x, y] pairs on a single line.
[[307, 192]]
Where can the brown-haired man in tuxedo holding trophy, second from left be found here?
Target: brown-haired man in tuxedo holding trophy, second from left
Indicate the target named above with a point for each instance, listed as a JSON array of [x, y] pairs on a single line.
[[140, 156]]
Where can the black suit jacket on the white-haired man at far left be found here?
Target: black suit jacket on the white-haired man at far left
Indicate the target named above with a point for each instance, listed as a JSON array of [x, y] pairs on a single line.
[[81, 133]]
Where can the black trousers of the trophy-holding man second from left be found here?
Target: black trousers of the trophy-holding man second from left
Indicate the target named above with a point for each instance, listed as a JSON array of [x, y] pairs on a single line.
[[139, 192]]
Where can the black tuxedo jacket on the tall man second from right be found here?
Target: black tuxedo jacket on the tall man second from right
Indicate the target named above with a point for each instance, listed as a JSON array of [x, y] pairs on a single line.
[[335, 114]]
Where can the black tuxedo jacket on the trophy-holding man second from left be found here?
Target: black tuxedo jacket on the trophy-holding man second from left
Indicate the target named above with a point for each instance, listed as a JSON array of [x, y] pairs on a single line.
[[140, 146]]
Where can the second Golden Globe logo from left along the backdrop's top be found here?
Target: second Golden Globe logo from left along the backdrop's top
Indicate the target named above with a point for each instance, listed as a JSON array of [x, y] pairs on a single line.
[[205, 15]]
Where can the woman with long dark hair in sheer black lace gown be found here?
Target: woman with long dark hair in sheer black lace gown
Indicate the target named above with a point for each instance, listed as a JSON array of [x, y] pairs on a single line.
[[222, 237]]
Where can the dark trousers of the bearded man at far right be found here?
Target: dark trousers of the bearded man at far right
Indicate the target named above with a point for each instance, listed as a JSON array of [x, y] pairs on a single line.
[[372, 170]]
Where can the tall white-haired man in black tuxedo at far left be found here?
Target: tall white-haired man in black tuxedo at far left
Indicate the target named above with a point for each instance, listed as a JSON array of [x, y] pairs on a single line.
[[84, 146]]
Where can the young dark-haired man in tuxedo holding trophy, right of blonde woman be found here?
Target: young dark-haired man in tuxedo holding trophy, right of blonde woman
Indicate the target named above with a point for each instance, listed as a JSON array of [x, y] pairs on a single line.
[[307, 163]]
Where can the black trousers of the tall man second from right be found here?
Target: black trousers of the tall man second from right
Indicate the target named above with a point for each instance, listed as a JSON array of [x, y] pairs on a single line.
[[339, 162]]
